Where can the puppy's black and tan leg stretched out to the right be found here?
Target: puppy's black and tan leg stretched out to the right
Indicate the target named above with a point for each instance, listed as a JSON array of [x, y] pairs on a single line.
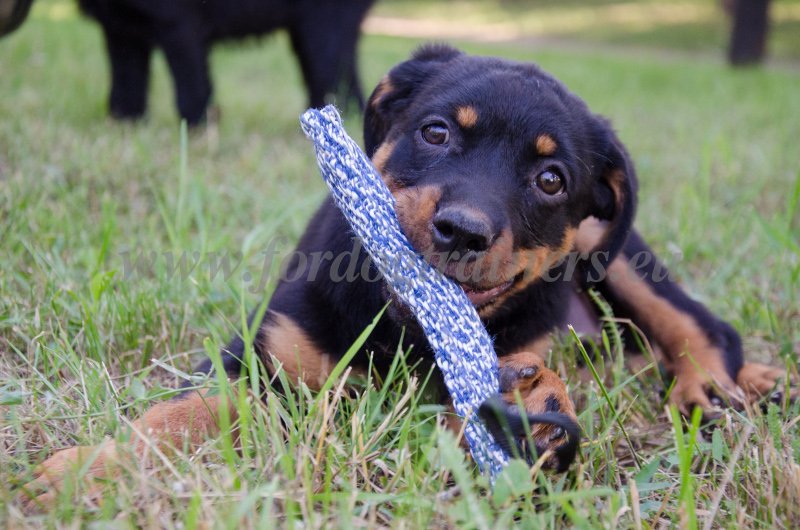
[[702, 352]]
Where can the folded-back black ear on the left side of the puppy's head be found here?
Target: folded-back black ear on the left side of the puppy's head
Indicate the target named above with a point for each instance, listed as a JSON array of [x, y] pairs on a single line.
[[395, 91]]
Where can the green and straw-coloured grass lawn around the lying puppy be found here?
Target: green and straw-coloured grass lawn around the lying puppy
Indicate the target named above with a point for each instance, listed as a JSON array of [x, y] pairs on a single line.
[[87, 343]]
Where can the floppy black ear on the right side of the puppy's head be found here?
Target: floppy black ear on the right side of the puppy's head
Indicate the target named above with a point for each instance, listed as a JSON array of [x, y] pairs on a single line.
[[613, 196]]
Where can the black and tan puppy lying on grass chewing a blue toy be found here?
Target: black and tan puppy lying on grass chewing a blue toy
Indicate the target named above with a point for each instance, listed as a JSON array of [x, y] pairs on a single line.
[[517, 191]]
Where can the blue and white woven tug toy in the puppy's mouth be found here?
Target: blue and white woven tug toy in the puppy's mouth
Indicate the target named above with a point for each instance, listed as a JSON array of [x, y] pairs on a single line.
[[462, 347]]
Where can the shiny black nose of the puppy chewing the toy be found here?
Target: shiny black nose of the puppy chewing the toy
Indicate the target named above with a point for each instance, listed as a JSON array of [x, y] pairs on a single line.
[[457, 229]]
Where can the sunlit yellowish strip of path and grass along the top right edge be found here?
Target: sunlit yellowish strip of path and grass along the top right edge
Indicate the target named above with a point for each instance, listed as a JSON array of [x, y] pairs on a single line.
[[664, 25]]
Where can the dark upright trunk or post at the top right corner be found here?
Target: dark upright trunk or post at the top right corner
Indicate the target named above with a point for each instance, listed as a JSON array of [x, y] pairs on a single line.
[[749, 33]]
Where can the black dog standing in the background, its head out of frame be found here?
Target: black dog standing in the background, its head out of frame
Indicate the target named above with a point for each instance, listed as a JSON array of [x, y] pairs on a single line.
[[324, 34]]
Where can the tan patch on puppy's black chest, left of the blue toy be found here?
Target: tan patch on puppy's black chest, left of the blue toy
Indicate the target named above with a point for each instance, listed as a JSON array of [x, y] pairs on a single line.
[[300, 358]]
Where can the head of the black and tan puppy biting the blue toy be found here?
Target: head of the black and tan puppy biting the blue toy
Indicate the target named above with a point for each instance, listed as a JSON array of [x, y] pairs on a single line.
[[494, 164]]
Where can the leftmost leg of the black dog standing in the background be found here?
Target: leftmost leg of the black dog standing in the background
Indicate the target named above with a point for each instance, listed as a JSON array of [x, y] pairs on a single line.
[[129, 59]]
